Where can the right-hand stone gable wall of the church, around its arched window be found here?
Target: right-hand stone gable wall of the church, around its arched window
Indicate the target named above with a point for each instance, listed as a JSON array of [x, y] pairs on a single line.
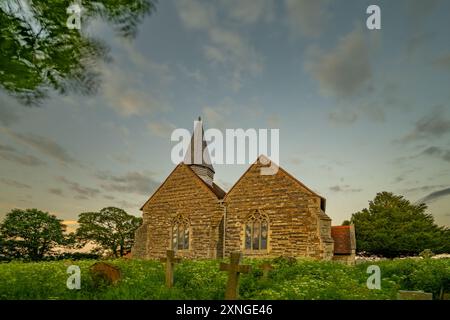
[[293, 211]]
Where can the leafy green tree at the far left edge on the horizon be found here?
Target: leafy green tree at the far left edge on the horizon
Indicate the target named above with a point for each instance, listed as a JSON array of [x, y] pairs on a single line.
[[30, 234]]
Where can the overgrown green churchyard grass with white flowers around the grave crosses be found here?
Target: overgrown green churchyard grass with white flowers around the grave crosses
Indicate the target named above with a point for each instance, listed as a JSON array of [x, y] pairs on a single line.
[[303, 279]]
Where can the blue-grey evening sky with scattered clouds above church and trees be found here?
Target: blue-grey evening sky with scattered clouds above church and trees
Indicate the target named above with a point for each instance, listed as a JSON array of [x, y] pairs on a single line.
[[359, 111]]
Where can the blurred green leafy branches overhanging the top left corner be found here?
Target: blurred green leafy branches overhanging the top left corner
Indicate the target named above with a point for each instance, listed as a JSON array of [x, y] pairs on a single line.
[[39, 53]]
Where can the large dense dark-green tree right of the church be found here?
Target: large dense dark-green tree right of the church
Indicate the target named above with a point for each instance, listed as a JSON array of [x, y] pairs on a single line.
[[392, 226]]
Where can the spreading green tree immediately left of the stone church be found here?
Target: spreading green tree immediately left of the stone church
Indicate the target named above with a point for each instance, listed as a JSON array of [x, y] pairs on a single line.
[[111, 229]]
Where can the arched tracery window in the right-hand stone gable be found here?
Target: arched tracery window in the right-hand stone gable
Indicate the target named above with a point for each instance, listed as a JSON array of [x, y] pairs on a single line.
[[256, 231]]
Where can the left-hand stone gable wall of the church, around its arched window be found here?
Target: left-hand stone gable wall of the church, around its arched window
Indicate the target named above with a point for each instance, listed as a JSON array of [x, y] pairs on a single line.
[[182, 194]]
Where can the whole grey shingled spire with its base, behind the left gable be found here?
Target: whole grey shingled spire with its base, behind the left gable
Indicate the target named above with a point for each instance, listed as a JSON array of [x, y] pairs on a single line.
[[197, 155]]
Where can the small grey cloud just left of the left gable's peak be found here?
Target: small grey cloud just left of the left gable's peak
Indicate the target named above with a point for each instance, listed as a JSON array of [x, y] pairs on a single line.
[[131, 182]]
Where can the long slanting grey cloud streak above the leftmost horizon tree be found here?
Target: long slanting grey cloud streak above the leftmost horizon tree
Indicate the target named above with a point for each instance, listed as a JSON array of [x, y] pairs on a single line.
[[44, 145]]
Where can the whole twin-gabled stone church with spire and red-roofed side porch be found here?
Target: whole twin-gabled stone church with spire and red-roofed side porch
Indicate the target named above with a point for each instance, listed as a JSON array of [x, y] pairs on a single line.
[[261, 215]]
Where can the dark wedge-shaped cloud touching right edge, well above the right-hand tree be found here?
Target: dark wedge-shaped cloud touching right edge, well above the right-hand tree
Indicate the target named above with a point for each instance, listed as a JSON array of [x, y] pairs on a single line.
[[432, 125]]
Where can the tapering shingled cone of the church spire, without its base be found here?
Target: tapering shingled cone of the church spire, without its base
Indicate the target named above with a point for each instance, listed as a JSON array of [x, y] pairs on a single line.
[[200, 147]]
